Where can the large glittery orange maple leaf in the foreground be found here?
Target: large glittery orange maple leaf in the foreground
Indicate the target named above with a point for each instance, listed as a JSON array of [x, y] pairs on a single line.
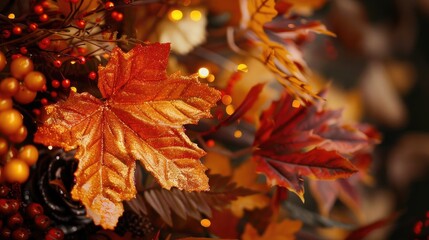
[[140, 117]]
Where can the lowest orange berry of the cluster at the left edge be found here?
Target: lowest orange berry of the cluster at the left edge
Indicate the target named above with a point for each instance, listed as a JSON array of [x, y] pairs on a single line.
[[16, 170]]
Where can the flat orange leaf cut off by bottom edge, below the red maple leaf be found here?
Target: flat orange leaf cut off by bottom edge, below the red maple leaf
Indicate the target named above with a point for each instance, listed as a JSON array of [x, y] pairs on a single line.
[[284, 230]]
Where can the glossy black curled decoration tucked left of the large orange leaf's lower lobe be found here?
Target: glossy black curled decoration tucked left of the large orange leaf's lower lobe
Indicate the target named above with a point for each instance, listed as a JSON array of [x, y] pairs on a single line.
[[50, 184]]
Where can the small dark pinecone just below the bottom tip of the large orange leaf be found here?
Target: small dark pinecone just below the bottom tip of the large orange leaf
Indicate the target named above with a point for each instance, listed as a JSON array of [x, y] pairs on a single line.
[[139, 226]]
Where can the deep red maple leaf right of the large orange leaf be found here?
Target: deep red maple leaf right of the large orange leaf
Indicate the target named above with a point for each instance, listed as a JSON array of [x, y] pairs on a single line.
[[310, 141]]
